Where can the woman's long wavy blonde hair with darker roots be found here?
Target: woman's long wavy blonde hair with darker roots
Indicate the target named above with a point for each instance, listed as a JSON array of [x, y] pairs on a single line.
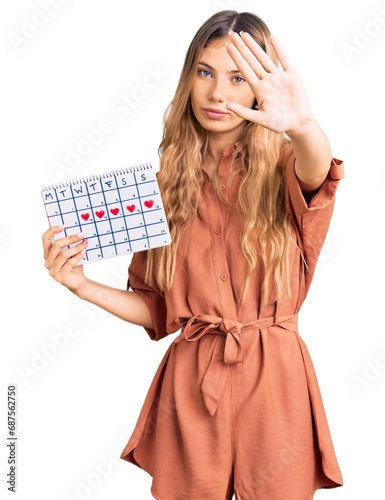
[[261, 195]]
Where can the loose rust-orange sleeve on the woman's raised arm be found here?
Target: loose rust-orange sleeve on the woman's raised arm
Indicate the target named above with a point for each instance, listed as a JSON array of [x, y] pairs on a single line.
[[312, 212]]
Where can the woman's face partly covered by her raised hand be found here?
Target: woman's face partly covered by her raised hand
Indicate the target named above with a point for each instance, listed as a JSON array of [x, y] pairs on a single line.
[[217, 82]]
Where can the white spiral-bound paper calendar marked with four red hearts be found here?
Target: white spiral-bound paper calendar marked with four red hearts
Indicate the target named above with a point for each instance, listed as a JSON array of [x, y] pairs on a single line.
[[120, 212]]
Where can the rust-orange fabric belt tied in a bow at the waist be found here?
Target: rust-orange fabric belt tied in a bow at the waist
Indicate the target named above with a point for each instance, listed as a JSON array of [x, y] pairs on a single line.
[[216, 373]]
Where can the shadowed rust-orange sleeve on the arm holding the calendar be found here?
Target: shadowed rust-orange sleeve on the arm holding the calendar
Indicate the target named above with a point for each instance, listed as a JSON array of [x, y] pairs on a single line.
[[153, 297]]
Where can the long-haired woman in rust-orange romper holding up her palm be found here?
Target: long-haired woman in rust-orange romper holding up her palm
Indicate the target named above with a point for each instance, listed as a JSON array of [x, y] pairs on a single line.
[[234, 406]]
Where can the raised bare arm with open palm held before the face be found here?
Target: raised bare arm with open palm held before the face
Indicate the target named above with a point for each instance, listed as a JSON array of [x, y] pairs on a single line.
[[283, 106]]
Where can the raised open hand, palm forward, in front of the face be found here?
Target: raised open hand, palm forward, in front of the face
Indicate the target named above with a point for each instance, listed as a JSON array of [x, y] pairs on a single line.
[[283, 105]]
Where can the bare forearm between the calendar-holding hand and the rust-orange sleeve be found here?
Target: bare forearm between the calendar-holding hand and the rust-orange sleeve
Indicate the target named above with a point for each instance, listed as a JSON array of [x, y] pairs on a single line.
[[124, 304]]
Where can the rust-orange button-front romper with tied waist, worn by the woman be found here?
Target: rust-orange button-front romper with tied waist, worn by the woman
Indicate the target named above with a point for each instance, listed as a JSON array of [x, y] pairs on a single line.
[[234, 406]]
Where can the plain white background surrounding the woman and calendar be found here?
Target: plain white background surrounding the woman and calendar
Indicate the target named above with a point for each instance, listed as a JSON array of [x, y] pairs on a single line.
[[78, 405]]
